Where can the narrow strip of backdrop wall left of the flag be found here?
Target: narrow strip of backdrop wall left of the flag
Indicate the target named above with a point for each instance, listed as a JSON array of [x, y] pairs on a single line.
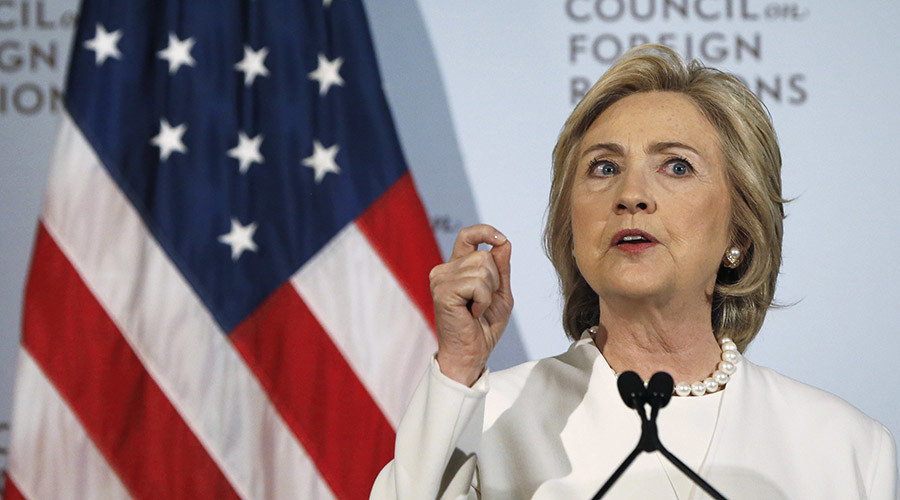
[[34, 46]]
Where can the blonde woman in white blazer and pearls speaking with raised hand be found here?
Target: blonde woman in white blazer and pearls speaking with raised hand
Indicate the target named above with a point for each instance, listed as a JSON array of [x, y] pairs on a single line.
[[665, 227]]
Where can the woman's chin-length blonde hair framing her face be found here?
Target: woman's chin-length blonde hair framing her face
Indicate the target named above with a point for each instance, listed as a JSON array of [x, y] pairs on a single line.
[[743, 295]]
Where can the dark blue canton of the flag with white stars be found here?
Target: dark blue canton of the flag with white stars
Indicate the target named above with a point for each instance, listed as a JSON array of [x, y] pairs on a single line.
[[246, 133]]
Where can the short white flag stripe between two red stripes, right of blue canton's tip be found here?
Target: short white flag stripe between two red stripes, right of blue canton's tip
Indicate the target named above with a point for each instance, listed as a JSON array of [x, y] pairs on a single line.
[[386, 341]]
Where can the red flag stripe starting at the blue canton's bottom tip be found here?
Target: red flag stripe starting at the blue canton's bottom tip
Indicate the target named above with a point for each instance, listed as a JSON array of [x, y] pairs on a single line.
[[316, 392]]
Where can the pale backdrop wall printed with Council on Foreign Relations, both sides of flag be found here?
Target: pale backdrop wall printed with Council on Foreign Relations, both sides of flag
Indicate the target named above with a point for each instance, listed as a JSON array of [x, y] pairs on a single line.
[[480, 90]]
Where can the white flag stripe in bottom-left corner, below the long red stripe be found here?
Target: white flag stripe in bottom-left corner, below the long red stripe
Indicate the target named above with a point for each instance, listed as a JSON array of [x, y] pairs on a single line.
[[50, 454]]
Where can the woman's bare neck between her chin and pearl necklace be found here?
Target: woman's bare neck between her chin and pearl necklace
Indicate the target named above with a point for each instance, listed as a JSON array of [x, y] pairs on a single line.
[[677, 339]]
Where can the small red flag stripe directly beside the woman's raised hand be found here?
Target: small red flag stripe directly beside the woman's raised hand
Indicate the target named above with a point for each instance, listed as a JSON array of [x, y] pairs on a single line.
[[397, 228]]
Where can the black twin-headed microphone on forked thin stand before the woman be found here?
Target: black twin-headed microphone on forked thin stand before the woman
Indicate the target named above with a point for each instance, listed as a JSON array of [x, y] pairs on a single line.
[[657, 393]]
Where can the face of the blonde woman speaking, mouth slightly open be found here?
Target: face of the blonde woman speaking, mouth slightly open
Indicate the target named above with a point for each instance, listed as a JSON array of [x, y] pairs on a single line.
[[650, 201]]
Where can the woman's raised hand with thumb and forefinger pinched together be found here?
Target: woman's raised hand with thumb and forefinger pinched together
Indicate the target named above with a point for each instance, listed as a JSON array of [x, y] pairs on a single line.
[[472, 302]]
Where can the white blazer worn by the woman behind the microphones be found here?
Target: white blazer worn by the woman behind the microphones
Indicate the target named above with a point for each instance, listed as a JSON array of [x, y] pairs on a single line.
[[556, 429]]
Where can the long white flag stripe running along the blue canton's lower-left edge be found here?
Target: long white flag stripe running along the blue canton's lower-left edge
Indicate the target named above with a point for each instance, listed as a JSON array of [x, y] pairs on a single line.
[[170, 330]]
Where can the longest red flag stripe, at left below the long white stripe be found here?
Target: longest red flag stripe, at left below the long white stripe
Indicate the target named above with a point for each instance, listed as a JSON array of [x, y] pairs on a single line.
[[83, 354]]
